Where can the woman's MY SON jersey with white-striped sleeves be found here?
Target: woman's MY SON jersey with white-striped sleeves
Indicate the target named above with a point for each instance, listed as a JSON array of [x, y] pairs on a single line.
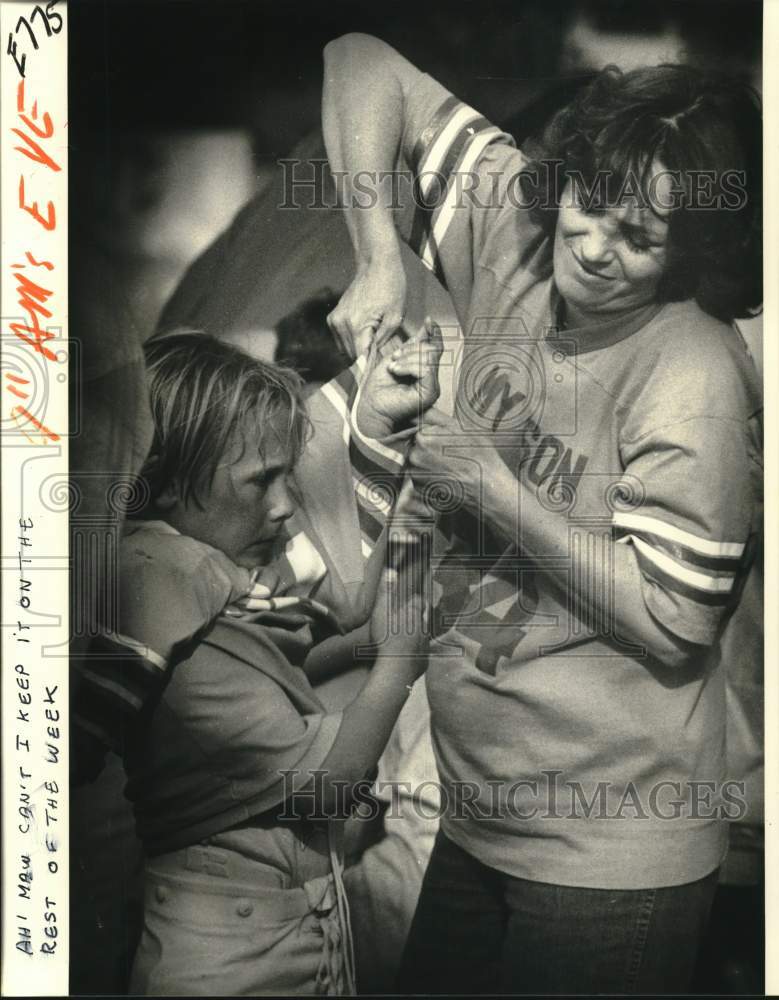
[[567, 753]]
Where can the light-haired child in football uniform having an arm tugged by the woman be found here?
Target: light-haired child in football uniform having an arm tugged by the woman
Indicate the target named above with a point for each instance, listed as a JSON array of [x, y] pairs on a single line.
[[237, 774]]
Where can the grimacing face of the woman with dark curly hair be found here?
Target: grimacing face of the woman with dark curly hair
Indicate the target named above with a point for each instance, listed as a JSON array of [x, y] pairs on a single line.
[[609, 260]]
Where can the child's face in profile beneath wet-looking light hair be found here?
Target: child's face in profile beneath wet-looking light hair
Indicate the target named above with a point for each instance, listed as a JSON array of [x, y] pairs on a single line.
[[244, 509]]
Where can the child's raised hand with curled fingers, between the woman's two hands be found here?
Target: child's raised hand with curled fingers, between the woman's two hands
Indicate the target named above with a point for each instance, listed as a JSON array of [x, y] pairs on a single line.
[[401, 386]]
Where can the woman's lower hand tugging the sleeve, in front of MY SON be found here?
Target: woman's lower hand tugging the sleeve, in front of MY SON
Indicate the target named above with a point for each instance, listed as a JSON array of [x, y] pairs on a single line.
[[438, 451]]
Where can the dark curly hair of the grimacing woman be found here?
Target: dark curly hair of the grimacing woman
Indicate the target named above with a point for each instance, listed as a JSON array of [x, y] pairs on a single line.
[[694, 124]]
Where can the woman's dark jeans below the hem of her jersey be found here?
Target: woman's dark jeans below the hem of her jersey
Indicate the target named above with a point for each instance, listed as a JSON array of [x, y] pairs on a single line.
[[477, 930]]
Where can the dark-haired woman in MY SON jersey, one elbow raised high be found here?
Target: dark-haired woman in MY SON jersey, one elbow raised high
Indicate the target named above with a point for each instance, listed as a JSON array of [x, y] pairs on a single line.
[[604, 451]]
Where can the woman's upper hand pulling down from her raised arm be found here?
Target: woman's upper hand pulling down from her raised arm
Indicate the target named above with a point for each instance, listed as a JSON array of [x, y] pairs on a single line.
[[373, 306]]
